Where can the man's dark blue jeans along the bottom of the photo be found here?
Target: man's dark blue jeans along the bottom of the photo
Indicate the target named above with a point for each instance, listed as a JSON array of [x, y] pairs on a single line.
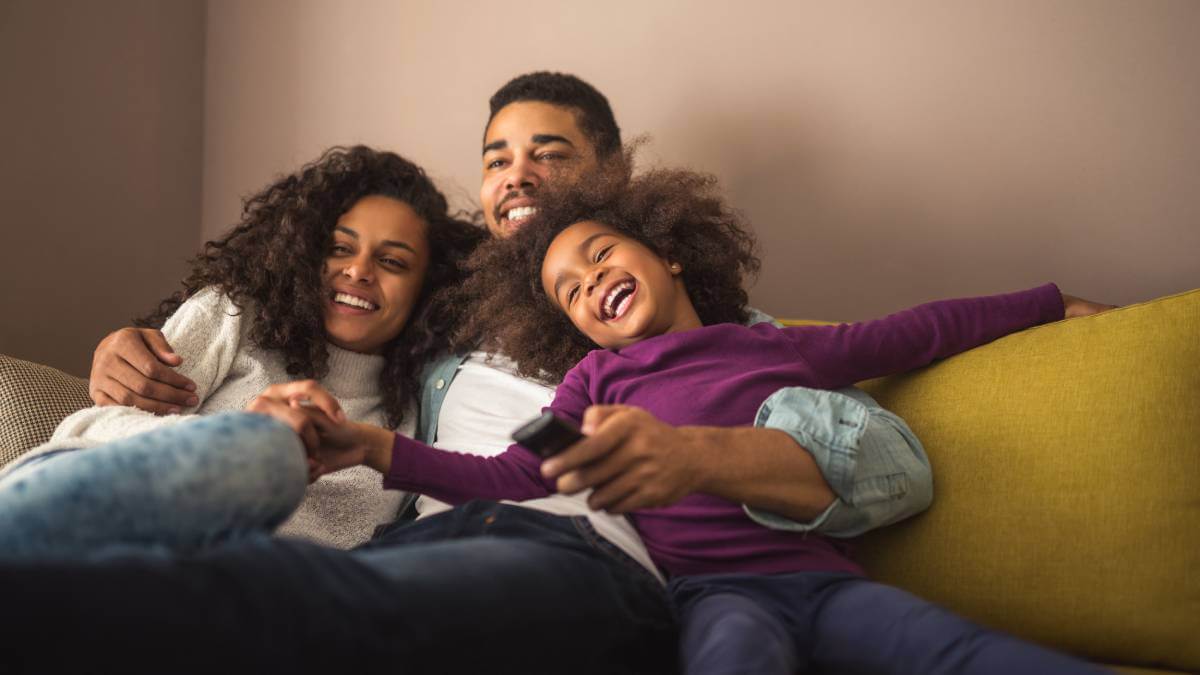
[[485, 588]]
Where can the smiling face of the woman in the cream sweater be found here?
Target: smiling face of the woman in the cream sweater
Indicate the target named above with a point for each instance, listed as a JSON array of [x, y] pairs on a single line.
[[375, 273]]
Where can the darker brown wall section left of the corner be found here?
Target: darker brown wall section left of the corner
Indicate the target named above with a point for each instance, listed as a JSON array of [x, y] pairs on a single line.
[[100, 170]]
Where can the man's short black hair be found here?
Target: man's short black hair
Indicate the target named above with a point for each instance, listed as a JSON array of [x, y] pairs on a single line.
[[591, 107]]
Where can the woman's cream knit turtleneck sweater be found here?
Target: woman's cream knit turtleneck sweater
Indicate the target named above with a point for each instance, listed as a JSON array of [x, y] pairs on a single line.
[[212, 336]]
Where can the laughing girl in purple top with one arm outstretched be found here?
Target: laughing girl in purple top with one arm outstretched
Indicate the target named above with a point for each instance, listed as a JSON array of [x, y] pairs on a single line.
[[653, 278]]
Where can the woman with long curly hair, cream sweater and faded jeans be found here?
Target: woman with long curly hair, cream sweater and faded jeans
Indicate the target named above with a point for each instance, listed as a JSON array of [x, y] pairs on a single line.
[[329, 277]]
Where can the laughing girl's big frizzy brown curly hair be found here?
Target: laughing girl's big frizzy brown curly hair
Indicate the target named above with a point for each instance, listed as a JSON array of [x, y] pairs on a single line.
[[677, 214]]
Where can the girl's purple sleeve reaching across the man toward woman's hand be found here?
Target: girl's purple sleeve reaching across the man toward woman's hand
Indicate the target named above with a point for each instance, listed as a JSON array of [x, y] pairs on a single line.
[[458, 477]]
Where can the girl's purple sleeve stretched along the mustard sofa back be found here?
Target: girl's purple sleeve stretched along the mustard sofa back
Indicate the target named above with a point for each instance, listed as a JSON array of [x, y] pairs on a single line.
[[853, 353]]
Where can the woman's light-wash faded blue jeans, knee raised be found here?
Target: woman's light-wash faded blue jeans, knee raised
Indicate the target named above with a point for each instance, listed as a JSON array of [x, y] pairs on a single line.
[[181, 488]]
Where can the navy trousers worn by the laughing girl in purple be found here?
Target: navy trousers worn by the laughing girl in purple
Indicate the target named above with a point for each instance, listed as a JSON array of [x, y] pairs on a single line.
[[827, 623]]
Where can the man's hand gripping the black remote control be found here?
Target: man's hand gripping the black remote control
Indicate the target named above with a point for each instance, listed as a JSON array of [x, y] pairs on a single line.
[[631, 458]]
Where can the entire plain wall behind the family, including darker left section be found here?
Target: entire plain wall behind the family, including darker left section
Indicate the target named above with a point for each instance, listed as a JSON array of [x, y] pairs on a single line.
[[886, 153]]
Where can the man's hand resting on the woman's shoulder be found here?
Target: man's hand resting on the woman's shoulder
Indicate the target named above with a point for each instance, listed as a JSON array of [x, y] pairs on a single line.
[[134, 367]]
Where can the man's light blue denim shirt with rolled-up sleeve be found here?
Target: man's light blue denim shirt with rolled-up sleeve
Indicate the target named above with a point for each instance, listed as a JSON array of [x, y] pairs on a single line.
[[872, 461]]
